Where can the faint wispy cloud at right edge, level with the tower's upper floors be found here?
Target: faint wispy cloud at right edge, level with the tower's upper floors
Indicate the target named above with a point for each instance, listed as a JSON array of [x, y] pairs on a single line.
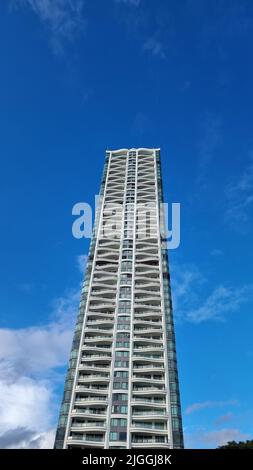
[[239, 195]]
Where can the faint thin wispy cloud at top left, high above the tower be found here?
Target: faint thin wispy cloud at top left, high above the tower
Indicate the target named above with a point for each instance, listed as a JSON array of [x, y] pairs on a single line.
[[64, 19]]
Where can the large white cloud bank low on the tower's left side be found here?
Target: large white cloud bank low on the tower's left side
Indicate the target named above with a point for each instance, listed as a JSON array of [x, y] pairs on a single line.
[[29, 359]]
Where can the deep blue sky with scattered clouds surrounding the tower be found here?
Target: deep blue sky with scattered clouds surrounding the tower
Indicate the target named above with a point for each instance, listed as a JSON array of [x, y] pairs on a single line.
[[78, 77]]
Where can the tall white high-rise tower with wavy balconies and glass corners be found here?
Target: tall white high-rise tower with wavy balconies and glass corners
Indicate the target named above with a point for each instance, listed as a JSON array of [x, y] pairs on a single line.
[[122, 388]]
